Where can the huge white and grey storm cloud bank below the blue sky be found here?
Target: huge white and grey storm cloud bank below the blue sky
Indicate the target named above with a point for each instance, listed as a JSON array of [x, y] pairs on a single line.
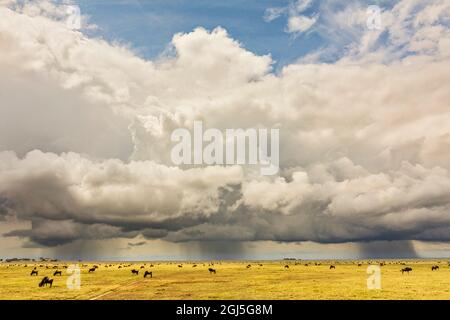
[[365, 143]]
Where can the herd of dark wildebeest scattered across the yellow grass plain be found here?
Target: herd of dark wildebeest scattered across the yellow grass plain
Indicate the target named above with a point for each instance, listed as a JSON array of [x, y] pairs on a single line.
[[46, 281]]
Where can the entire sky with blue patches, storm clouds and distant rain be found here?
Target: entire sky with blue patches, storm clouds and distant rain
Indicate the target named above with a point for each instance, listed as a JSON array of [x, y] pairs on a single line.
[[358, 90]]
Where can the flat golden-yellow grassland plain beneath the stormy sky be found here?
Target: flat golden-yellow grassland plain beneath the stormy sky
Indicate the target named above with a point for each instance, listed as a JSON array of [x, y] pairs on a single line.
[[233, 280]]
